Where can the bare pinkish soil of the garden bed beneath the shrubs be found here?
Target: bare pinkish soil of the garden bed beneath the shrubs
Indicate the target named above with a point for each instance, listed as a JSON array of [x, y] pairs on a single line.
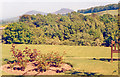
[[31, 69]]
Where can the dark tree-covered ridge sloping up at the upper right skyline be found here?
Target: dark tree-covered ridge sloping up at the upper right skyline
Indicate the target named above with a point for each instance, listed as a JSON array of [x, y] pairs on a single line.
[[99, 8]]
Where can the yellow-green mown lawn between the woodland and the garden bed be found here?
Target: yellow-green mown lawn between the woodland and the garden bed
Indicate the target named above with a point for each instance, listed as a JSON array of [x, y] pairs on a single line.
[[81, 57]]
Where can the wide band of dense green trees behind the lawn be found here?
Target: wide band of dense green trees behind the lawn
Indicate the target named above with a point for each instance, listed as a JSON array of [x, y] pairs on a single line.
[[72, 29]]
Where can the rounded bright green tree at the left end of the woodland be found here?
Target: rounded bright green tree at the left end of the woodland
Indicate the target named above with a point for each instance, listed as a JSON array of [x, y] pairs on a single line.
[[17, 33]]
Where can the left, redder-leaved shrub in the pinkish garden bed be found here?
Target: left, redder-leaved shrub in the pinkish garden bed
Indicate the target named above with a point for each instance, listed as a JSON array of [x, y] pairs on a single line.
[[23, 57]]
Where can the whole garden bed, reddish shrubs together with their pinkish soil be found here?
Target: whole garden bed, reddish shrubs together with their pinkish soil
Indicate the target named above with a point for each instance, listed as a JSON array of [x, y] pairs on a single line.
[[33, 62]]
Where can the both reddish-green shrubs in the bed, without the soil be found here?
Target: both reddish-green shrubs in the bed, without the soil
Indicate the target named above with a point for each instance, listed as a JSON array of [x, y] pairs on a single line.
[[42, 62]]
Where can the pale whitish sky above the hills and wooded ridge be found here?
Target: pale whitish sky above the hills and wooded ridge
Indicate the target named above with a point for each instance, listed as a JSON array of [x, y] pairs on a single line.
[[14, 8]]
